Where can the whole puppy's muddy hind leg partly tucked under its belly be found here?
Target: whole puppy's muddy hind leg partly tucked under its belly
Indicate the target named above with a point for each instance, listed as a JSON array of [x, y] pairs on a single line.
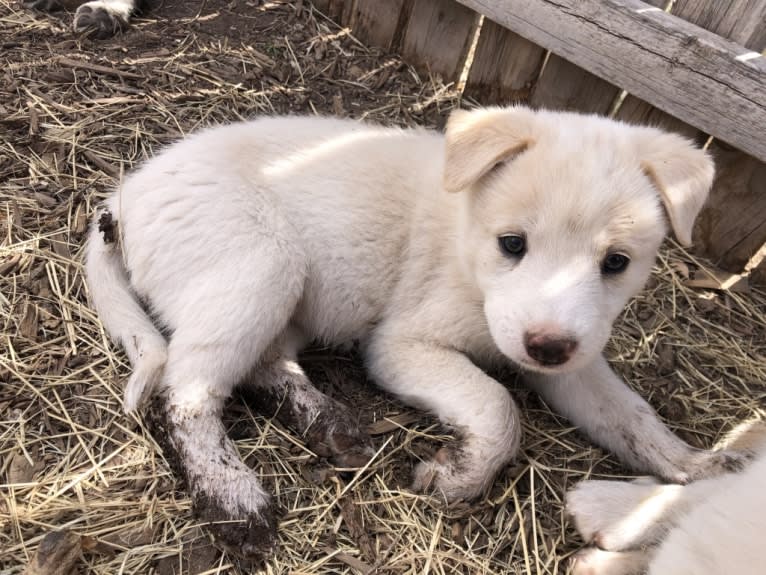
[[330, 428]]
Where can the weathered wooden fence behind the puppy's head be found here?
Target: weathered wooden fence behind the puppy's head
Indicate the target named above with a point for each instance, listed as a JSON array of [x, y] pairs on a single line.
[[692, 66]]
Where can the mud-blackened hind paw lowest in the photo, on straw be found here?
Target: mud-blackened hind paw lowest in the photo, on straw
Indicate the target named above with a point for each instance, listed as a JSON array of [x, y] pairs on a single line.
[[250, 536]]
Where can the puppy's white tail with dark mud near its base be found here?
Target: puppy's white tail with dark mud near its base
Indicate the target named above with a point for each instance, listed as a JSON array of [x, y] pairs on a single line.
[[121, 313]]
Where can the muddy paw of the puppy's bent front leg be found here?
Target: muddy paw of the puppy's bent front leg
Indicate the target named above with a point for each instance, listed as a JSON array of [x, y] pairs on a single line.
[[449, 474]]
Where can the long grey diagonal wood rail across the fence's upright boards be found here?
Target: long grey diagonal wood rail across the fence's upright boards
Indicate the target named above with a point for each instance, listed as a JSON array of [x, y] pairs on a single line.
[[695, 75]]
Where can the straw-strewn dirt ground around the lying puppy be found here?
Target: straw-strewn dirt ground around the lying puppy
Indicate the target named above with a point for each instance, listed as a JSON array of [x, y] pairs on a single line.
[[74, 115]]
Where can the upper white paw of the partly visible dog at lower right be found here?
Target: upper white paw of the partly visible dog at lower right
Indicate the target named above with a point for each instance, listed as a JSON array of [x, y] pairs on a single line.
[[618, 515]]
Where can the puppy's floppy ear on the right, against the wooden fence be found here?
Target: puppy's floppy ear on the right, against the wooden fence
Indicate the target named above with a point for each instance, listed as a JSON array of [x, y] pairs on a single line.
[[683, 174]]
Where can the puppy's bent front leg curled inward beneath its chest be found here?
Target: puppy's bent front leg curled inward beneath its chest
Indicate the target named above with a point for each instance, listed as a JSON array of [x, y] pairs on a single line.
[[445, 382]]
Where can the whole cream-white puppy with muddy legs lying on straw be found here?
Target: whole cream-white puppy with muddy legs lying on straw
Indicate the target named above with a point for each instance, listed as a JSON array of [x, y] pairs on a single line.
[[516, 236]]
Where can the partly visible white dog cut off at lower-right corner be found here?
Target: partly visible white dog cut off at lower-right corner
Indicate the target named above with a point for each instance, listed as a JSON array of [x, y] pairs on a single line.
[[709, 527]]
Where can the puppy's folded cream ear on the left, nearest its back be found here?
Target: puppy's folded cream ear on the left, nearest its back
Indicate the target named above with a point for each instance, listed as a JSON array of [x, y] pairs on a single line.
[[477, 141]]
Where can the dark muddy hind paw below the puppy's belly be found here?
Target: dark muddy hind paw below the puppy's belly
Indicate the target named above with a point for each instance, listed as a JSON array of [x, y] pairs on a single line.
[[335, 434]]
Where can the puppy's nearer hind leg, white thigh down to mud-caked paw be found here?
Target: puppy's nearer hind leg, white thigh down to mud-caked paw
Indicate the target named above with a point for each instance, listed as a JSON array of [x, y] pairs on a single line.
[[232, 314]]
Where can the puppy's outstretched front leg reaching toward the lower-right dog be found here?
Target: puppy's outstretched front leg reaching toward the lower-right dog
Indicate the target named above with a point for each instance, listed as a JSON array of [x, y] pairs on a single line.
[[601, 404]]
